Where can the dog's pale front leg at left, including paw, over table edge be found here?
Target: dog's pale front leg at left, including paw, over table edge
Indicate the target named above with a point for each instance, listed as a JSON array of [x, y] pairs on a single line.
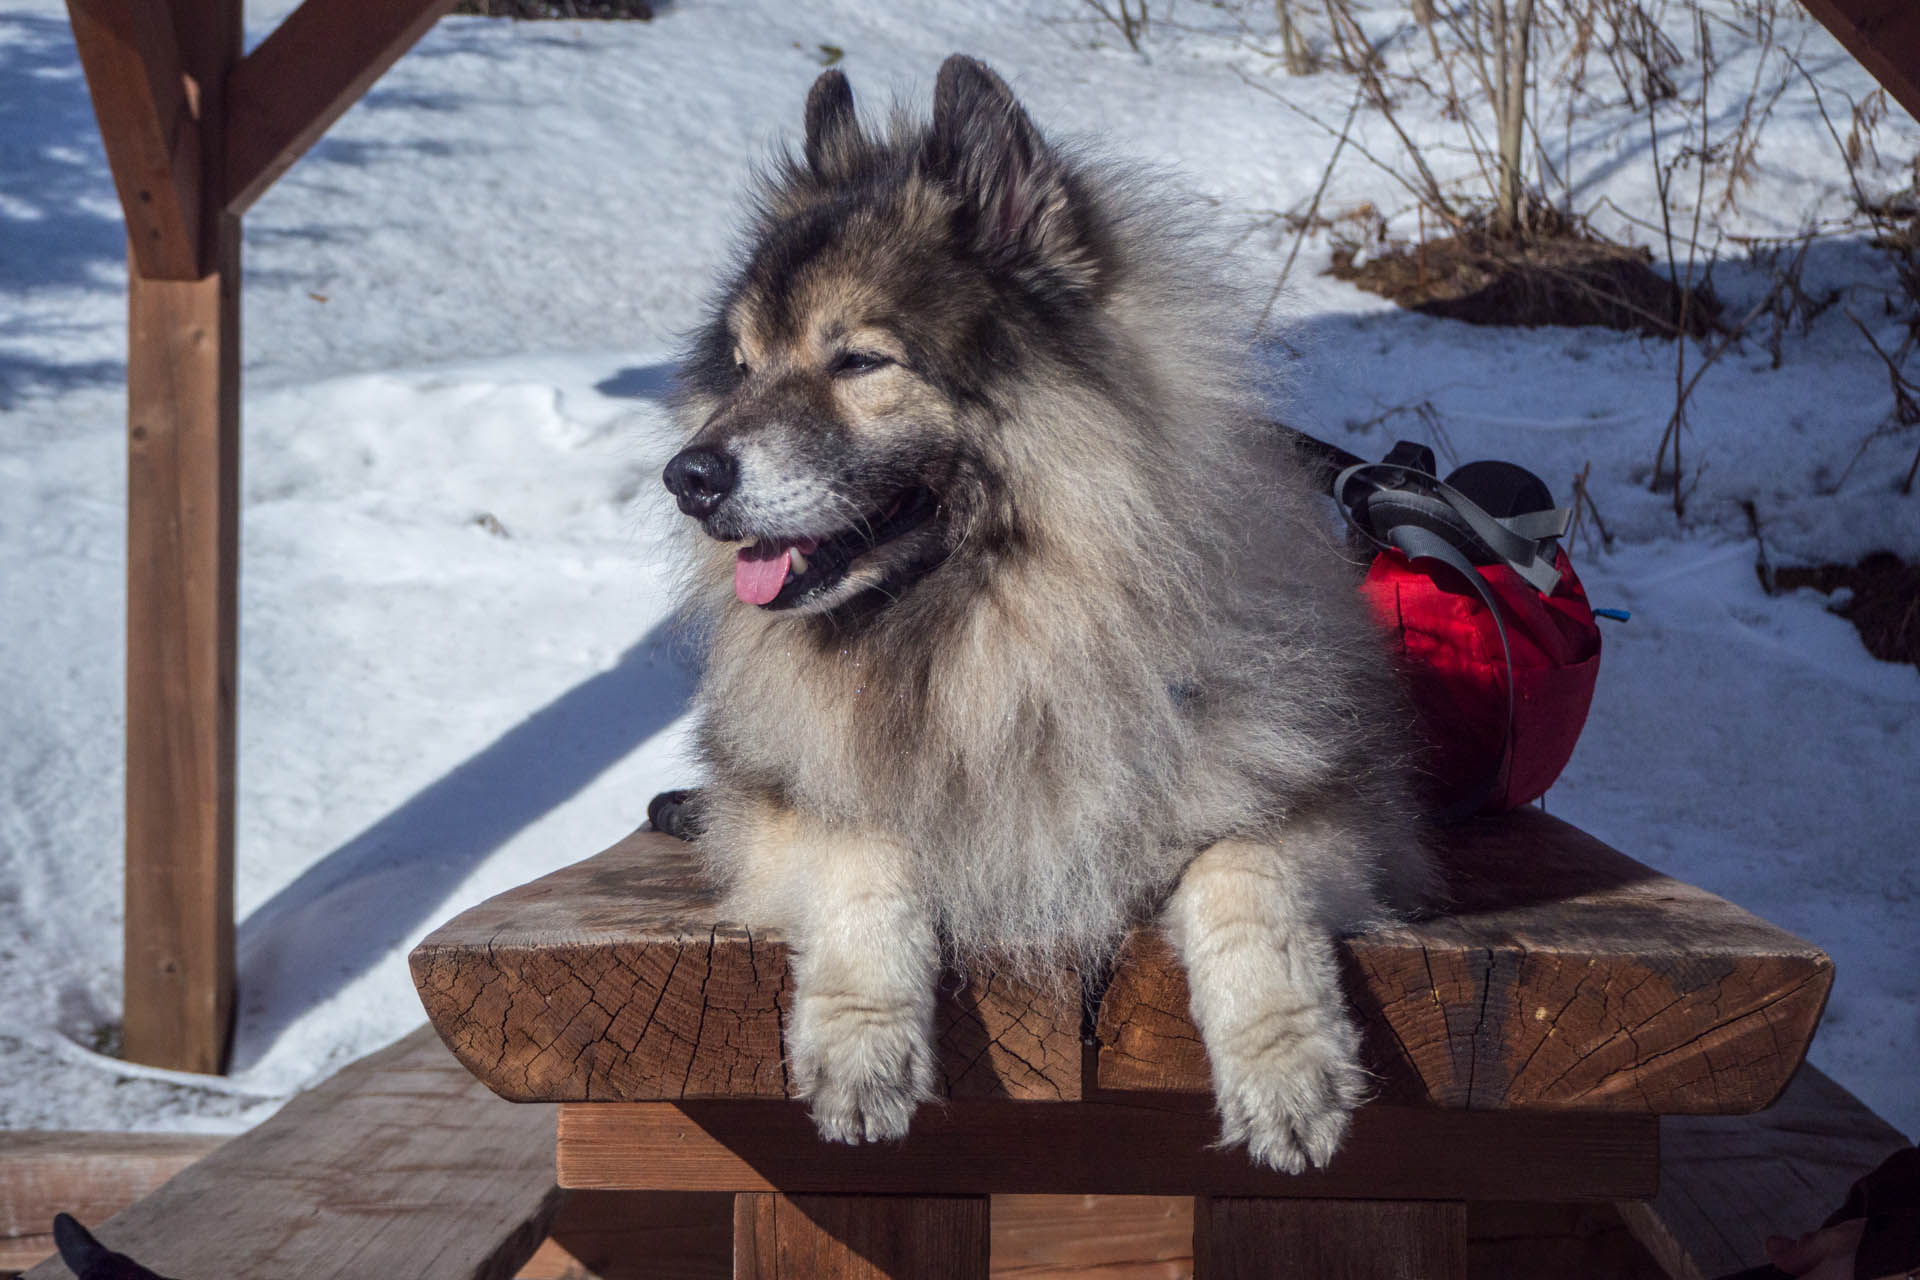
[[865, 968]]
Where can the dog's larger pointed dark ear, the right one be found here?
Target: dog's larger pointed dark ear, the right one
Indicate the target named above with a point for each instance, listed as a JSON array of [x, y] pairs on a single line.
[[1015, 185]]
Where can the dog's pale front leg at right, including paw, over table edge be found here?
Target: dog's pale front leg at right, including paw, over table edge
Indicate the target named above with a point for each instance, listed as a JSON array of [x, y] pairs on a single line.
[[1266, 993]]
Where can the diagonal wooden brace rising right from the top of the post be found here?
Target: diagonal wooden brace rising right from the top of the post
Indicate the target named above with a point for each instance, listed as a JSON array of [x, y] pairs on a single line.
[[304, 78]]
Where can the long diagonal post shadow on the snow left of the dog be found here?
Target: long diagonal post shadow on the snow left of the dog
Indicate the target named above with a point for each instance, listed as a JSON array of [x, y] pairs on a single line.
[[362, 901]]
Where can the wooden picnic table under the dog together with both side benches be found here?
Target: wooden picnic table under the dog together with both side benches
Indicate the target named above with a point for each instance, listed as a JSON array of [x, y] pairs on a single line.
[[1527, 1045]]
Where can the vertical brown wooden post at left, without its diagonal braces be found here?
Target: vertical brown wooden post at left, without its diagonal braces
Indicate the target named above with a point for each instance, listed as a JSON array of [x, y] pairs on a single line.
[[183, 561]]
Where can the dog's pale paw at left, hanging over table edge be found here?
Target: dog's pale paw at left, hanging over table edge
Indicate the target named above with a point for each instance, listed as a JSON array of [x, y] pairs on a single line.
[[861, 1070]]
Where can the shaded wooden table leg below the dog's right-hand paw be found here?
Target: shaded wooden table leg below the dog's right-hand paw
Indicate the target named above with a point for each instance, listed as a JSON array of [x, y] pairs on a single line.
[[1241, 1239]]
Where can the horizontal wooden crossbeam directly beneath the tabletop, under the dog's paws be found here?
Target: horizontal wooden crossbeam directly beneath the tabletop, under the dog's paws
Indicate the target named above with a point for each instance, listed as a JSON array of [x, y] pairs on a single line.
[[1103, 1149]]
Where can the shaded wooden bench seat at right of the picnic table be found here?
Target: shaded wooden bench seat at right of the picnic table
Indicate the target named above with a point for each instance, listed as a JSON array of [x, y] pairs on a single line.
[[1727, 1183]]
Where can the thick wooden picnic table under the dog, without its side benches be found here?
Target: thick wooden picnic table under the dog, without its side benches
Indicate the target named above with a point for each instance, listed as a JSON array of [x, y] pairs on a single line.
[[1525, 1045]]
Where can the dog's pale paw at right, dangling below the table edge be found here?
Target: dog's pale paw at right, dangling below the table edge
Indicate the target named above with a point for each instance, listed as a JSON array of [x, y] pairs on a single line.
[[1287, 1087]]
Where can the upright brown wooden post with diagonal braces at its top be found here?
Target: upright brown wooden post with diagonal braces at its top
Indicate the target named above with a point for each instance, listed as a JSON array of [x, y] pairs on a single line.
[[176, 103]]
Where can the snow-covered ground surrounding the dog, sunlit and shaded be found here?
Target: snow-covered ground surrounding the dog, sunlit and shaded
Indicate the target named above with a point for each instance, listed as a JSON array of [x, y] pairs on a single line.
[[458, 669]]
